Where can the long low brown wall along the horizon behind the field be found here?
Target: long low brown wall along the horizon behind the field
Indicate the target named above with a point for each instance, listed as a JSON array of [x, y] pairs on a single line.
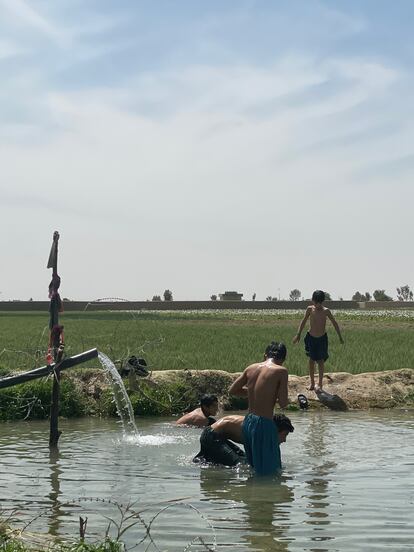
[[20, 306]]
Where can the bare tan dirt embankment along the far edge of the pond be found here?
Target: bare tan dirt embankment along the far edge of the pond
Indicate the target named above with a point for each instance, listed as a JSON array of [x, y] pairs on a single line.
[[391, 389]]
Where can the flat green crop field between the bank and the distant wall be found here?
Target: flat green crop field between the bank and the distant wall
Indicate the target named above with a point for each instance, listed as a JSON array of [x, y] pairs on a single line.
[[196, 340]]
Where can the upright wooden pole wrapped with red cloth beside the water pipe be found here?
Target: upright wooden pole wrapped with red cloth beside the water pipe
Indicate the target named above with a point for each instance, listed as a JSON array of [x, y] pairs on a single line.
[[56, 342]]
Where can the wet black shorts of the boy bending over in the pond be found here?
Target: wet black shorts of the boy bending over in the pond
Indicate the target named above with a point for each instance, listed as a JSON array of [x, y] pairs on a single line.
[[217, 450]]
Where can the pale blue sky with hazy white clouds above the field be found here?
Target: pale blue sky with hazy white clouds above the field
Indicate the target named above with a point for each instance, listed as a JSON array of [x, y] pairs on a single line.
[[248, 145]]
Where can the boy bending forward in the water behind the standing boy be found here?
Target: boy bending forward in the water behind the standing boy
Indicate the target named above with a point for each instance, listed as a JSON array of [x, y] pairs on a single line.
[[217, 444]]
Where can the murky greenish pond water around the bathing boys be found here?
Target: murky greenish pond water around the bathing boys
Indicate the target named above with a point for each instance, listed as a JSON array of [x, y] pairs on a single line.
[[348, 484]]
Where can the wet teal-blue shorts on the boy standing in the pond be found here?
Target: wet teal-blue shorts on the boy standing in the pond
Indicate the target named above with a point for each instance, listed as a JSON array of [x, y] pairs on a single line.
[[261, 443]]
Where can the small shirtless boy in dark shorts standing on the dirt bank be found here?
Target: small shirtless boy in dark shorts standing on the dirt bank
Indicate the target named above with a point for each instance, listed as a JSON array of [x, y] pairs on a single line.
[[316, 339]]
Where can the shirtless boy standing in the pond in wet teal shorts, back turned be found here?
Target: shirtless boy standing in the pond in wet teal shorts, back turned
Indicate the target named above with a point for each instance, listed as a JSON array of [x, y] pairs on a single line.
[[264, 384]]
